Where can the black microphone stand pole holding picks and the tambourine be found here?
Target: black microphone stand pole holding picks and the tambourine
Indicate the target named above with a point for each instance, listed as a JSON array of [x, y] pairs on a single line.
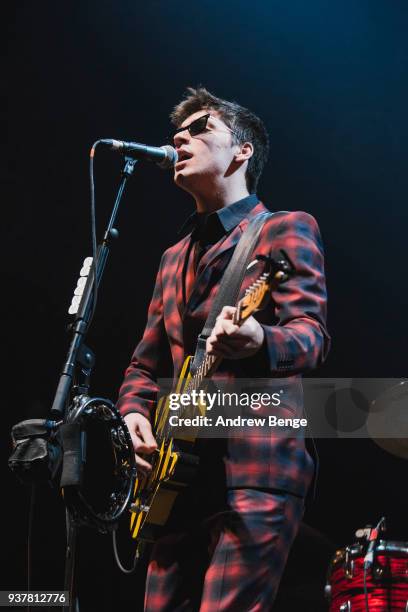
[[79, 362]]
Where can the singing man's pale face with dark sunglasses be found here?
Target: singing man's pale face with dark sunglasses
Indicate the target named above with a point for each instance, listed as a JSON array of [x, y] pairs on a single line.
[[204, 159]]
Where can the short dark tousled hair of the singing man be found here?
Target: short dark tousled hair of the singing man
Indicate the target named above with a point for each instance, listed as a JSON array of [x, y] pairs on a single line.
[[247, 126]]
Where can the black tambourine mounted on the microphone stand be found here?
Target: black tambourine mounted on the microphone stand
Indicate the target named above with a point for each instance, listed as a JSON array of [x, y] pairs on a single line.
[[103, 463]]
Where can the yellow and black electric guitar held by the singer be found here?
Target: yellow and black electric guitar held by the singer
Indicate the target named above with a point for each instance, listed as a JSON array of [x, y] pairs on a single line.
[[173, 463]]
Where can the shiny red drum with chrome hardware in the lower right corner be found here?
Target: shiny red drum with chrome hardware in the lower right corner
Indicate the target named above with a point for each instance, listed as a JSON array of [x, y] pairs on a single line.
[[386, 580]]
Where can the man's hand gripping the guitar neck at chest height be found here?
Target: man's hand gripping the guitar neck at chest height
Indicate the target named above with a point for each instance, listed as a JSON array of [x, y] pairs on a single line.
[[230, 341]]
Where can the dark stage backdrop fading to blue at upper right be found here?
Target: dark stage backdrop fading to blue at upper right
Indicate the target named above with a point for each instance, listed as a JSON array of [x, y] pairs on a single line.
[[330, 82]]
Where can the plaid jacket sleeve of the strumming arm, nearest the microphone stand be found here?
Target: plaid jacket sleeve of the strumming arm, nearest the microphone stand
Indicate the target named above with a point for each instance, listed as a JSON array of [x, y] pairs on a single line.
[[138, 392]]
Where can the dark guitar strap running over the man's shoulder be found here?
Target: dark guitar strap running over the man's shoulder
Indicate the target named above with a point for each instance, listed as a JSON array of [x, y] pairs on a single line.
[[231, 282]]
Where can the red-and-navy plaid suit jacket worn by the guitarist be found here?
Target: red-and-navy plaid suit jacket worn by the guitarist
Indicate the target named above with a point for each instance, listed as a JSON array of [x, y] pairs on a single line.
[[296, 339]]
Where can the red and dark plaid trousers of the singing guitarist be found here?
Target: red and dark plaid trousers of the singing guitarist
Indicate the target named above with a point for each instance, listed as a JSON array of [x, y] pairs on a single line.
[[230, 561]]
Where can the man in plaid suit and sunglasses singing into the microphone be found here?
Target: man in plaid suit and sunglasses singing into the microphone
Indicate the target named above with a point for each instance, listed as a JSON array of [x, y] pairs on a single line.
[[229, 548]]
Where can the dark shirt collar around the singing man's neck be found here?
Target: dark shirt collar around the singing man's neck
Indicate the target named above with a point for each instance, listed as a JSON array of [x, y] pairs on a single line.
[[226, 218]]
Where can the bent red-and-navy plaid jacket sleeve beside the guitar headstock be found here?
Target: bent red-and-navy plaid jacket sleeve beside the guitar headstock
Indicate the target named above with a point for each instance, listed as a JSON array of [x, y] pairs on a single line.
[[299, 341]]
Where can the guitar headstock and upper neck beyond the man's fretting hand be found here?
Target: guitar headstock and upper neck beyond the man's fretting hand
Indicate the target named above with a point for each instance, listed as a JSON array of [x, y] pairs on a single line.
[[276, 271]]
